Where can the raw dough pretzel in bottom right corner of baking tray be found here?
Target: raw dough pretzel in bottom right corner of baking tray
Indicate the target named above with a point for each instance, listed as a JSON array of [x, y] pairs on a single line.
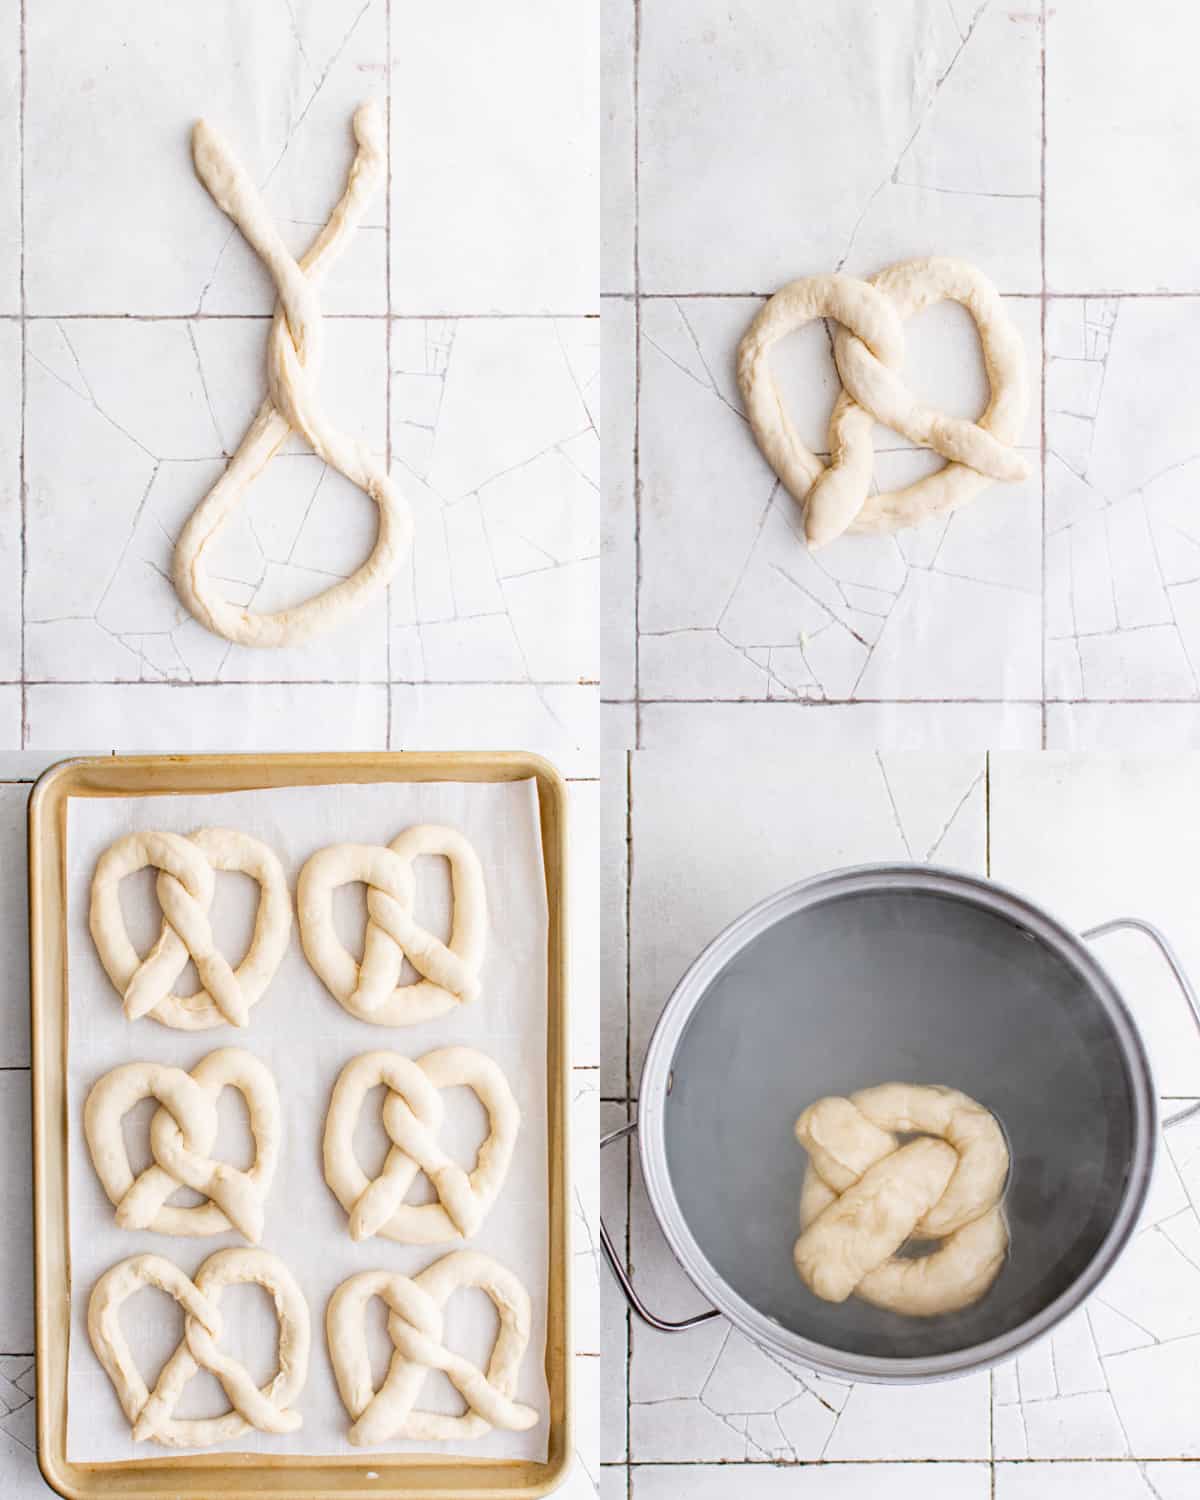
[[416, 1328]]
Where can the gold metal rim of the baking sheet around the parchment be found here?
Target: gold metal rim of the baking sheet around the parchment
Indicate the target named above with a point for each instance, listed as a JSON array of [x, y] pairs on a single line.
[[227, 1475]]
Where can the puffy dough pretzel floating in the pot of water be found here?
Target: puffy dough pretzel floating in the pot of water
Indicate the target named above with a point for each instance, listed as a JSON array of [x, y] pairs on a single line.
[[866, 1195]]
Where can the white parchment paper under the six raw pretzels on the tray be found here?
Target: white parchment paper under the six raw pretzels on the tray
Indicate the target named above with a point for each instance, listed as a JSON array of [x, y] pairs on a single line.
[[307, 1039]]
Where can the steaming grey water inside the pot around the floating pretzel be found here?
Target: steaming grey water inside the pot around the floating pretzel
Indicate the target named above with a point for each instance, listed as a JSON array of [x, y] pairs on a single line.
[[919, 988]]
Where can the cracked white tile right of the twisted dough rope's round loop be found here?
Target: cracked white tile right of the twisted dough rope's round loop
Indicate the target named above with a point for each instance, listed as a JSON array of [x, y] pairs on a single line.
[[494, 431]]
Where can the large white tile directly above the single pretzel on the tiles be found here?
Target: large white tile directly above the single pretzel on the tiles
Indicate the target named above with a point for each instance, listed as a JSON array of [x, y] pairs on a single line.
[[941, 149]]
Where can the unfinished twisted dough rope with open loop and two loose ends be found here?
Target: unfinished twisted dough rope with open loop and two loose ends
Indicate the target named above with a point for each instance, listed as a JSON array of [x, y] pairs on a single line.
[[293, 364]]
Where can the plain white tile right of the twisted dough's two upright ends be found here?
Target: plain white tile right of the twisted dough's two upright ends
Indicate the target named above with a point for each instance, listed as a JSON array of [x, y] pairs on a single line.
[[494, 178]]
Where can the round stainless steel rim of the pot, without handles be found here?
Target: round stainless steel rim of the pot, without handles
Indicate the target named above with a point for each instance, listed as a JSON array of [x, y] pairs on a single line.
[[688, 994]]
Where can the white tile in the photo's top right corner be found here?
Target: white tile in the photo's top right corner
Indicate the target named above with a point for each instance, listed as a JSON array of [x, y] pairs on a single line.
[[1112, 143]]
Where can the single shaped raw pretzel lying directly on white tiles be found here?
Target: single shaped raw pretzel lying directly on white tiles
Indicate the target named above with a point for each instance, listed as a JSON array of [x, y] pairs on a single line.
[[869, 350]]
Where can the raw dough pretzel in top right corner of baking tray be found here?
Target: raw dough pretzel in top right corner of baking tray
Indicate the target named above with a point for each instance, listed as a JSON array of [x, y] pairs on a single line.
[[373, 989]]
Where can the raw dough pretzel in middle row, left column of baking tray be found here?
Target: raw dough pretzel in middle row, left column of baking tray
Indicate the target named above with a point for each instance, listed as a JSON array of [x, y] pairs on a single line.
[[182, 1136]]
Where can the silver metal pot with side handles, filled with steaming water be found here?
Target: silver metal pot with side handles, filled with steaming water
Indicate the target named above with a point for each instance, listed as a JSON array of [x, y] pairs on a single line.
[[862, 977]]
